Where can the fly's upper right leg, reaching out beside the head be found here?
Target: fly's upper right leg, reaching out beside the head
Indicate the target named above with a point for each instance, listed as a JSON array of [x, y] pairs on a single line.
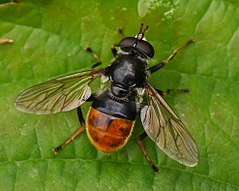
[[163, 63]]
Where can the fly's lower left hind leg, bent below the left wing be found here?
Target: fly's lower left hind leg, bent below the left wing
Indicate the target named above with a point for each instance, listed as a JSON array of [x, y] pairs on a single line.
[[75, 134]]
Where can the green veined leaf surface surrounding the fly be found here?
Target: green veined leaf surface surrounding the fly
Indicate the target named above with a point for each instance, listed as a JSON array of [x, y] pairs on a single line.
[[49, 40]]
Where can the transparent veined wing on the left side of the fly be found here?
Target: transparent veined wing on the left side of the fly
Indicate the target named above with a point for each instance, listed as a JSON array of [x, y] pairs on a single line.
[[57, 95]]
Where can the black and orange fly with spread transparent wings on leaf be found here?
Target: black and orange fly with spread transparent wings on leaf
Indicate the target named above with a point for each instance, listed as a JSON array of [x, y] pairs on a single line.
[[111, 117]]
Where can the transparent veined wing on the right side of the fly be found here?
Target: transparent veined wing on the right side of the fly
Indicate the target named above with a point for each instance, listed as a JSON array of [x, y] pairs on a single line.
[[168, 132]]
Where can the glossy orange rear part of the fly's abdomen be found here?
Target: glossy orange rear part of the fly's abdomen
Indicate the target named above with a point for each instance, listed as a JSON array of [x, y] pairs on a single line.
[[107, 133]]
